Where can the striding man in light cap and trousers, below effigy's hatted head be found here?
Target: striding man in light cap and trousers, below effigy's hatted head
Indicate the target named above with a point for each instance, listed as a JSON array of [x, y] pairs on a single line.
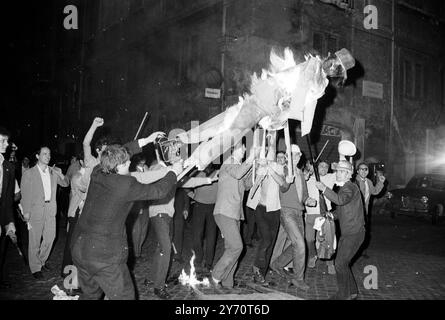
[[294, 196]]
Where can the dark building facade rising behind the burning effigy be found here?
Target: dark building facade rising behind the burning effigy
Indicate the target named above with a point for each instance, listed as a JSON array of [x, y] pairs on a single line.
[[159, 56]]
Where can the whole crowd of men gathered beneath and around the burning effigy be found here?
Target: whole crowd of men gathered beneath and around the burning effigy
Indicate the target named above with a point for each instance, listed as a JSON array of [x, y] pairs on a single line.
[[117, 191]]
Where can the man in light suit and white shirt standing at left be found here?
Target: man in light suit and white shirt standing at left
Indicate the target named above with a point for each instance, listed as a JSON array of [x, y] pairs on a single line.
[[39, 188]]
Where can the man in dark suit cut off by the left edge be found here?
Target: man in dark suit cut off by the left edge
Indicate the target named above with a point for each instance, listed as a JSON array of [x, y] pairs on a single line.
[[7, 184]]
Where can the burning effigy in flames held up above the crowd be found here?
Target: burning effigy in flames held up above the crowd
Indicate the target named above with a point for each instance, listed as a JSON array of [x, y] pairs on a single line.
[[286, 90]]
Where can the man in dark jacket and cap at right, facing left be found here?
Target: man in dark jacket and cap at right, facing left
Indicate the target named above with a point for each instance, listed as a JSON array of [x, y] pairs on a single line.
[[352, 227]]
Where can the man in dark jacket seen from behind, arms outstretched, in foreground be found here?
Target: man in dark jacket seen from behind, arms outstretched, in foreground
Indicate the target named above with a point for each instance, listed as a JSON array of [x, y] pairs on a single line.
[[99, 245]]
